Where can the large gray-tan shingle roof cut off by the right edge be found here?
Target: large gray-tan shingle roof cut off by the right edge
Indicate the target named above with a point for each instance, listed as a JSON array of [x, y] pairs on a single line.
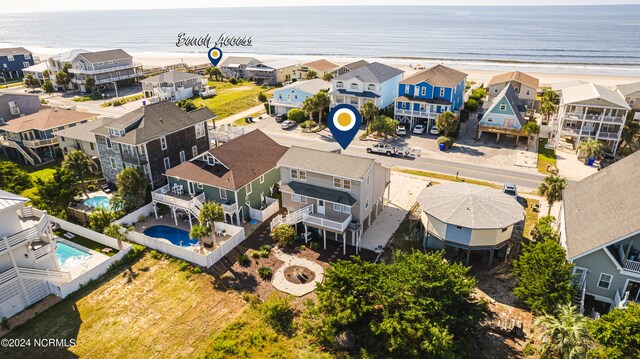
[[603, 207]]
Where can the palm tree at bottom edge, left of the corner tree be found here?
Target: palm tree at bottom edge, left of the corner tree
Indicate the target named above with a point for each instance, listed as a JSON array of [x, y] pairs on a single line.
[[565, 334]]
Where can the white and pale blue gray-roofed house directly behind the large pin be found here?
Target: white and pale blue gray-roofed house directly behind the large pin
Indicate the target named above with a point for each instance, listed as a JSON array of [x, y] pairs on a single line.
[[376, 82]]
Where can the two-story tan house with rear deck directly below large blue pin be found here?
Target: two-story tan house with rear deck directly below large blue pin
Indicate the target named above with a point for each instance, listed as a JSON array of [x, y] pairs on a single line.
[[331, 195]]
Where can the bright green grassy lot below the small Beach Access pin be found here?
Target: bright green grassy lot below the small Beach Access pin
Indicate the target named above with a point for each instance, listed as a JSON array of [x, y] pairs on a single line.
[[231, 99]]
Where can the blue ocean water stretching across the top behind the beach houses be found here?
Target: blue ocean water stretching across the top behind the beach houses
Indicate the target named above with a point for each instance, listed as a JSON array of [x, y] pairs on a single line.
[[579, 36]]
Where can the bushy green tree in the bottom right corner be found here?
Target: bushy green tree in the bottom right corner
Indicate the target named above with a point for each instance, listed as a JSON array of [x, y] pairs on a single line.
[[618, 332]]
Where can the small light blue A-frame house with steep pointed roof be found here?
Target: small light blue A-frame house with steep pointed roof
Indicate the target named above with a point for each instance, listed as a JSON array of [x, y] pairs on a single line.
[[505, 115]]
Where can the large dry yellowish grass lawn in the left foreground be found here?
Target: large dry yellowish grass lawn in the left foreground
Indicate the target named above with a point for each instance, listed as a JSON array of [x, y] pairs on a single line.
[[152, 309]]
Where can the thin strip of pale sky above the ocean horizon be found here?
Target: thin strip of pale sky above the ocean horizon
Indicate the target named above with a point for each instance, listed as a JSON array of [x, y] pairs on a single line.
[[63, 5]]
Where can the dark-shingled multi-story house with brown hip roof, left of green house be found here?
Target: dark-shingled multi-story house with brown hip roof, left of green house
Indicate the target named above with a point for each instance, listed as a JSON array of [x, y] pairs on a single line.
[[153, 139]]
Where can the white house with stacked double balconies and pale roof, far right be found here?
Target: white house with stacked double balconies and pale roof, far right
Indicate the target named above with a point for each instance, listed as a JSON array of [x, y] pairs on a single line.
[[591, 111]]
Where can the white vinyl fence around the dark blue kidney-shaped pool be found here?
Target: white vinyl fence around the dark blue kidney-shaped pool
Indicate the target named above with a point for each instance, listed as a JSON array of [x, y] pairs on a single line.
[[187, 254]]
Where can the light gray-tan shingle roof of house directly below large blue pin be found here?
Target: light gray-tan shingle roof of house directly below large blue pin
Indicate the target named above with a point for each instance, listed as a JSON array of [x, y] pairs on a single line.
[[329, 163]]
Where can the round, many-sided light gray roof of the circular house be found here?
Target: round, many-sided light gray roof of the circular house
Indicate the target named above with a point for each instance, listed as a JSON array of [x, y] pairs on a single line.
[[470, 206]]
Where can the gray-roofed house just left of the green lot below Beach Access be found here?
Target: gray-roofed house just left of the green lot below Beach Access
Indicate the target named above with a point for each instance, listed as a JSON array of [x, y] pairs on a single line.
[[172, 86]]
